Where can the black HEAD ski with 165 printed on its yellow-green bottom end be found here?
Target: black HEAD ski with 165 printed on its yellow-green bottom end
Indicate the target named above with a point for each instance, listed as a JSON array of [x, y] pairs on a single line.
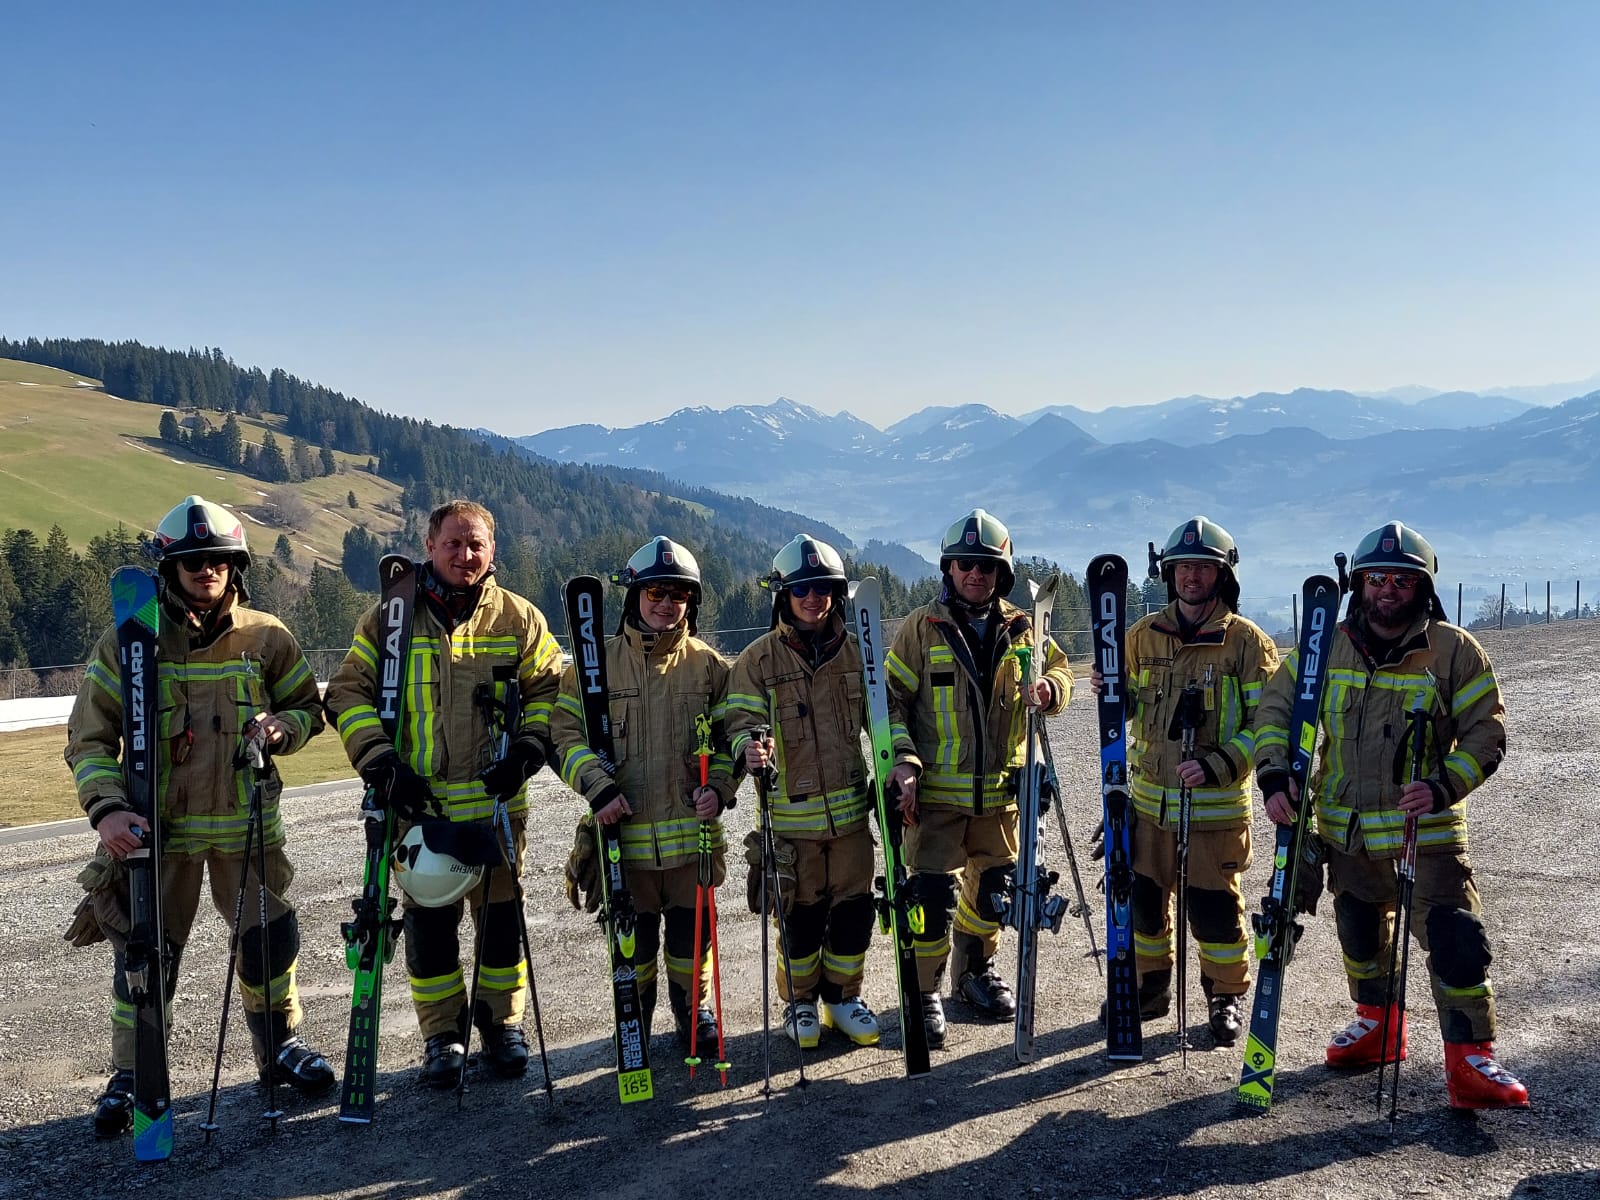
[[586, 623]]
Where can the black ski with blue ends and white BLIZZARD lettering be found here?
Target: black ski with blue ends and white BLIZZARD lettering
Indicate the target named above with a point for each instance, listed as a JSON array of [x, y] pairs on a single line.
[[148, 959]]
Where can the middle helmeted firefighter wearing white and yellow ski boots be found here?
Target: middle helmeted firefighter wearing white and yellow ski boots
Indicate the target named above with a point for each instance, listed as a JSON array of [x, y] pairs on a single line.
[[804, 682]]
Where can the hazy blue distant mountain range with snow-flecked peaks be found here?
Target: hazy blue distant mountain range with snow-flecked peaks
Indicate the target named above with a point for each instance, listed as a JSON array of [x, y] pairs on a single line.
[[1503, 487]]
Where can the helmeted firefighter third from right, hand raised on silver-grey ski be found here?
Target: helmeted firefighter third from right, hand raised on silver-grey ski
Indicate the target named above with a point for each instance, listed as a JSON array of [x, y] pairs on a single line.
[[958, 710]]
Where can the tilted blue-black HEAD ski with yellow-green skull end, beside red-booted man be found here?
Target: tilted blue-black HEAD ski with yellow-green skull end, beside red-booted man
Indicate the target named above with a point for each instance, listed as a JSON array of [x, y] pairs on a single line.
[[1276, 926]]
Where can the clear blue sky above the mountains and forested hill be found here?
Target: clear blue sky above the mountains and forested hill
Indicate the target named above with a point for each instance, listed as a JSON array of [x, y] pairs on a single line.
[[527, 215]]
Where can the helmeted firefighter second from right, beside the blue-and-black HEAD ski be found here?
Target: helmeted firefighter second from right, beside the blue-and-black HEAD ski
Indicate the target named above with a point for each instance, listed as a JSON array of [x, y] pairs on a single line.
[[1199, 665]]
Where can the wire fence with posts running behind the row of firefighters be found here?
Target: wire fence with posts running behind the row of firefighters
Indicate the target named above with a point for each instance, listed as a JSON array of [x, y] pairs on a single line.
[[1476, 607]]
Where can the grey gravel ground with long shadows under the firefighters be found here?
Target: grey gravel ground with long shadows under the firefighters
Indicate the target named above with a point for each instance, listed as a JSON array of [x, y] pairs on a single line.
[[978, 1127]]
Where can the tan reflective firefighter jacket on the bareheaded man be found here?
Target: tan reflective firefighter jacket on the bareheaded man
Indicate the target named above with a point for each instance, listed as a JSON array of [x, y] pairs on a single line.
[[446, 734]]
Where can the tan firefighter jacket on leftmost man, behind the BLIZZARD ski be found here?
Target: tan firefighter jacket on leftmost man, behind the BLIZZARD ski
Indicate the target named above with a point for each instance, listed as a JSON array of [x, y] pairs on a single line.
[[210, 682]]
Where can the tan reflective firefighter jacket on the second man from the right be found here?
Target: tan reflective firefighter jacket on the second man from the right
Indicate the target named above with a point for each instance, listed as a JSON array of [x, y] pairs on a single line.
[[1230, 662]]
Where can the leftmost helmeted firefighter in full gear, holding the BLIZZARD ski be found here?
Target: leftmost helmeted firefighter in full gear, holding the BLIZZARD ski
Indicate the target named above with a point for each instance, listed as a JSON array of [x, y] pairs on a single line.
[[222, 666]]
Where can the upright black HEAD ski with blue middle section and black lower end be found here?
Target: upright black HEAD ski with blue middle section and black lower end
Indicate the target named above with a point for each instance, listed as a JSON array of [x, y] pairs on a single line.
[[1108, 582]]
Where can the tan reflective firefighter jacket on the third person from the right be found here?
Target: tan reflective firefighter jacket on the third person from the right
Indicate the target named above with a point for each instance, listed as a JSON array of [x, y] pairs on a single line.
[[966, 738]]
